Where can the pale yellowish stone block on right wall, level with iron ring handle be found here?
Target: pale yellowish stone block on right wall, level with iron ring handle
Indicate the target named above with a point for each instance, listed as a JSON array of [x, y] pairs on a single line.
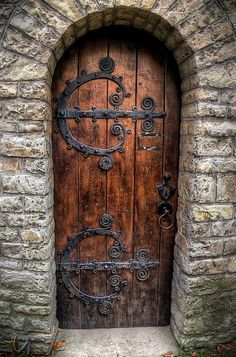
[[211, 212]]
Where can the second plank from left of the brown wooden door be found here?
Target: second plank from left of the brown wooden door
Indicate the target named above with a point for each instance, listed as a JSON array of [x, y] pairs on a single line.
[[92, 180]]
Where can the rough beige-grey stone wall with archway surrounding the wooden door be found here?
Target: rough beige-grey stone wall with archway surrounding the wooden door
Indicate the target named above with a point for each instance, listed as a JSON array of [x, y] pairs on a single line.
[[34, 34]]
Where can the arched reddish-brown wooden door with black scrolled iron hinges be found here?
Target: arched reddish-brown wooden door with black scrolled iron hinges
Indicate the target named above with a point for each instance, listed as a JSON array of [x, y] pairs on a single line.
[[112, 144]]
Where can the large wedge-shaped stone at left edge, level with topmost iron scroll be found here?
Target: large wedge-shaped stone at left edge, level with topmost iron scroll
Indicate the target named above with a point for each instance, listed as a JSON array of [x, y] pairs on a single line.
[[14, 67]]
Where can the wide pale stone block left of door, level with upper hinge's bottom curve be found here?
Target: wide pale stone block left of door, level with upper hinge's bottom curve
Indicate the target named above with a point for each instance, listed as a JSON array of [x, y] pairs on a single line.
[[24, 146]]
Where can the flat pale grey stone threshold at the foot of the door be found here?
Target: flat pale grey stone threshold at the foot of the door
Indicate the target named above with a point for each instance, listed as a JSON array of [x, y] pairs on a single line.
[[117, 342]]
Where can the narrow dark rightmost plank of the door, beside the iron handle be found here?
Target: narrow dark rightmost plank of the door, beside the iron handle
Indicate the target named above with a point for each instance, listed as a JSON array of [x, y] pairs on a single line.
[[170, 164]]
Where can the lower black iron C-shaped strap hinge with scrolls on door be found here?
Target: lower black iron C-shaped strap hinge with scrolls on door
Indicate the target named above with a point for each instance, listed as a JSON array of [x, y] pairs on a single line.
[[140, 265]]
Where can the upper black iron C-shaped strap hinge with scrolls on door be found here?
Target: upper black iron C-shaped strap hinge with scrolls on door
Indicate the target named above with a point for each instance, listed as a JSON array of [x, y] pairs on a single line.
[[62, 113]]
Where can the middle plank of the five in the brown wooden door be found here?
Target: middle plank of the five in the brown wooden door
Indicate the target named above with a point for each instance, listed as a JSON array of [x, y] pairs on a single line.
[[120, 179]]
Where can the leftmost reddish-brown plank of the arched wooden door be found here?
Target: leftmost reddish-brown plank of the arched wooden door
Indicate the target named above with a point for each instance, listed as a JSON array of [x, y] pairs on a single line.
[[66, 187]]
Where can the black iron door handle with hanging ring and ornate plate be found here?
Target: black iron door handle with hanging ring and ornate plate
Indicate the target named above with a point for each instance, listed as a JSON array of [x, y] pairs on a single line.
[[165, 209]]
